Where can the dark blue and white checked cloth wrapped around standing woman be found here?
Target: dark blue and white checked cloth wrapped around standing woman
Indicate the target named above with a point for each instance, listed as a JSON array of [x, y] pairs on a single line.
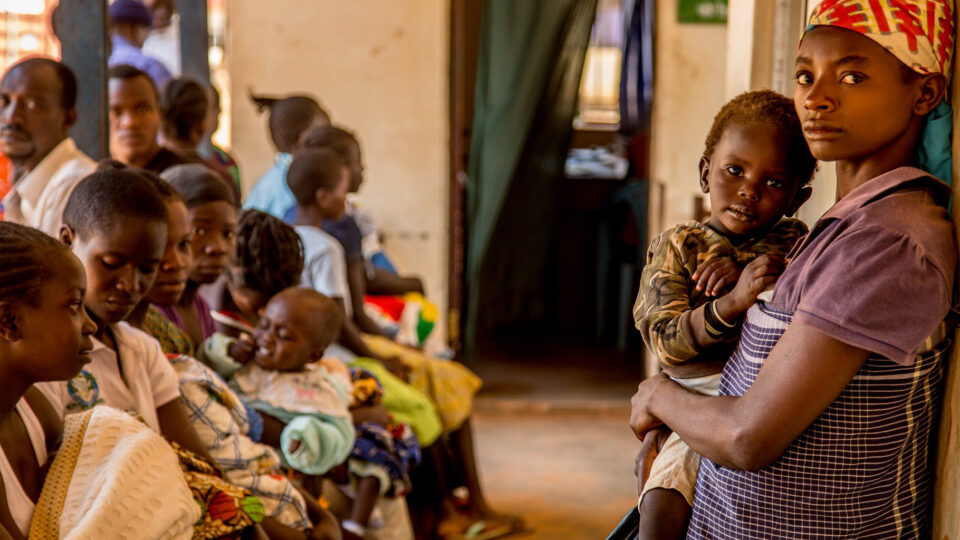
[[861, 470]]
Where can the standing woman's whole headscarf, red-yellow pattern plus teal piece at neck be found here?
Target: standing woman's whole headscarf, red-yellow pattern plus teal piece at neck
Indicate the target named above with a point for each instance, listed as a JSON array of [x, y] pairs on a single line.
[[920, 33]]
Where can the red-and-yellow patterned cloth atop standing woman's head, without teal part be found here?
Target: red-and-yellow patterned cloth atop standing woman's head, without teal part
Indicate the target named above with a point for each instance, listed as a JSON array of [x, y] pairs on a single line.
[[918, 32]]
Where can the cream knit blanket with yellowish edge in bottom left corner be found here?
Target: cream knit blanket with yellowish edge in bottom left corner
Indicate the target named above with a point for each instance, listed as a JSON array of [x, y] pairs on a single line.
[[114, 478]]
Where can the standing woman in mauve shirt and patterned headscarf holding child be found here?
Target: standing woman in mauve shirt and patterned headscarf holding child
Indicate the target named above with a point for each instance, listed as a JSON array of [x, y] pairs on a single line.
[[824, 423]]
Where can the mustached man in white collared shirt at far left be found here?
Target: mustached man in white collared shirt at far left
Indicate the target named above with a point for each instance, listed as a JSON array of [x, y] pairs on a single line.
[[37, 108]]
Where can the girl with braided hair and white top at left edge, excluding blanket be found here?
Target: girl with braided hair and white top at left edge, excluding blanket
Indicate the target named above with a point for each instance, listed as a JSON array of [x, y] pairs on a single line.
[[44, 336]]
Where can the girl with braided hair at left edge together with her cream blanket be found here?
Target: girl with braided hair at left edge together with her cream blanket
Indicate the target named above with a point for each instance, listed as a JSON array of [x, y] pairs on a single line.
[[45, 335]]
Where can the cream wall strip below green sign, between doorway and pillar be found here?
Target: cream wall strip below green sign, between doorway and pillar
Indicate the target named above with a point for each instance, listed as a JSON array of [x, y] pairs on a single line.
[[688, 91]]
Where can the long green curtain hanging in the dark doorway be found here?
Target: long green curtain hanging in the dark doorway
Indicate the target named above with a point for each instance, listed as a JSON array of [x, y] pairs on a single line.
[[528, 78]]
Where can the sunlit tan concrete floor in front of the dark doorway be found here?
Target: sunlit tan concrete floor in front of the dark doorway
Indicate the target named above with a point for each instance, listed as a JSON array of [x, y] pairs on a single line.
[[569, 475]]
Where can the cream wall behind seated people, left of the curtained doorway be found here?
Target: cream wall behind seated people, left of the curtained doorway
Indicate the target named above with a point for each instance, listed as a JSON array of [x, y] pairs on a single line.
[[380, 67]]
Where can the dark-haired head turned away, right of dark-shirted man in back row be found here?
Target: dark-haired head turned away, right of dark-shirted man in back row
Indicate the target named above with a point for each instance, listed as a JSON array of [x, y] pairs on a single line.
[[184, 105]]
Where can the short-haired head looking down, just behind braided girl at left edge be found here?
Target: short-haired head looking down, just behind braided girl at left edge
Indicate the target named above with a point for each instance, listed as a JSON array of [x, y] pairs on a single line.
[[116, 222]]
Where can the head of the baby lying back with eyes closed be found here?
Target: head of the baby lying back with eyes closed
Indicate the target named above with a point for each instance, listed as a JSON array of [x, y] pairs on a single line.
[[296, 327]]
